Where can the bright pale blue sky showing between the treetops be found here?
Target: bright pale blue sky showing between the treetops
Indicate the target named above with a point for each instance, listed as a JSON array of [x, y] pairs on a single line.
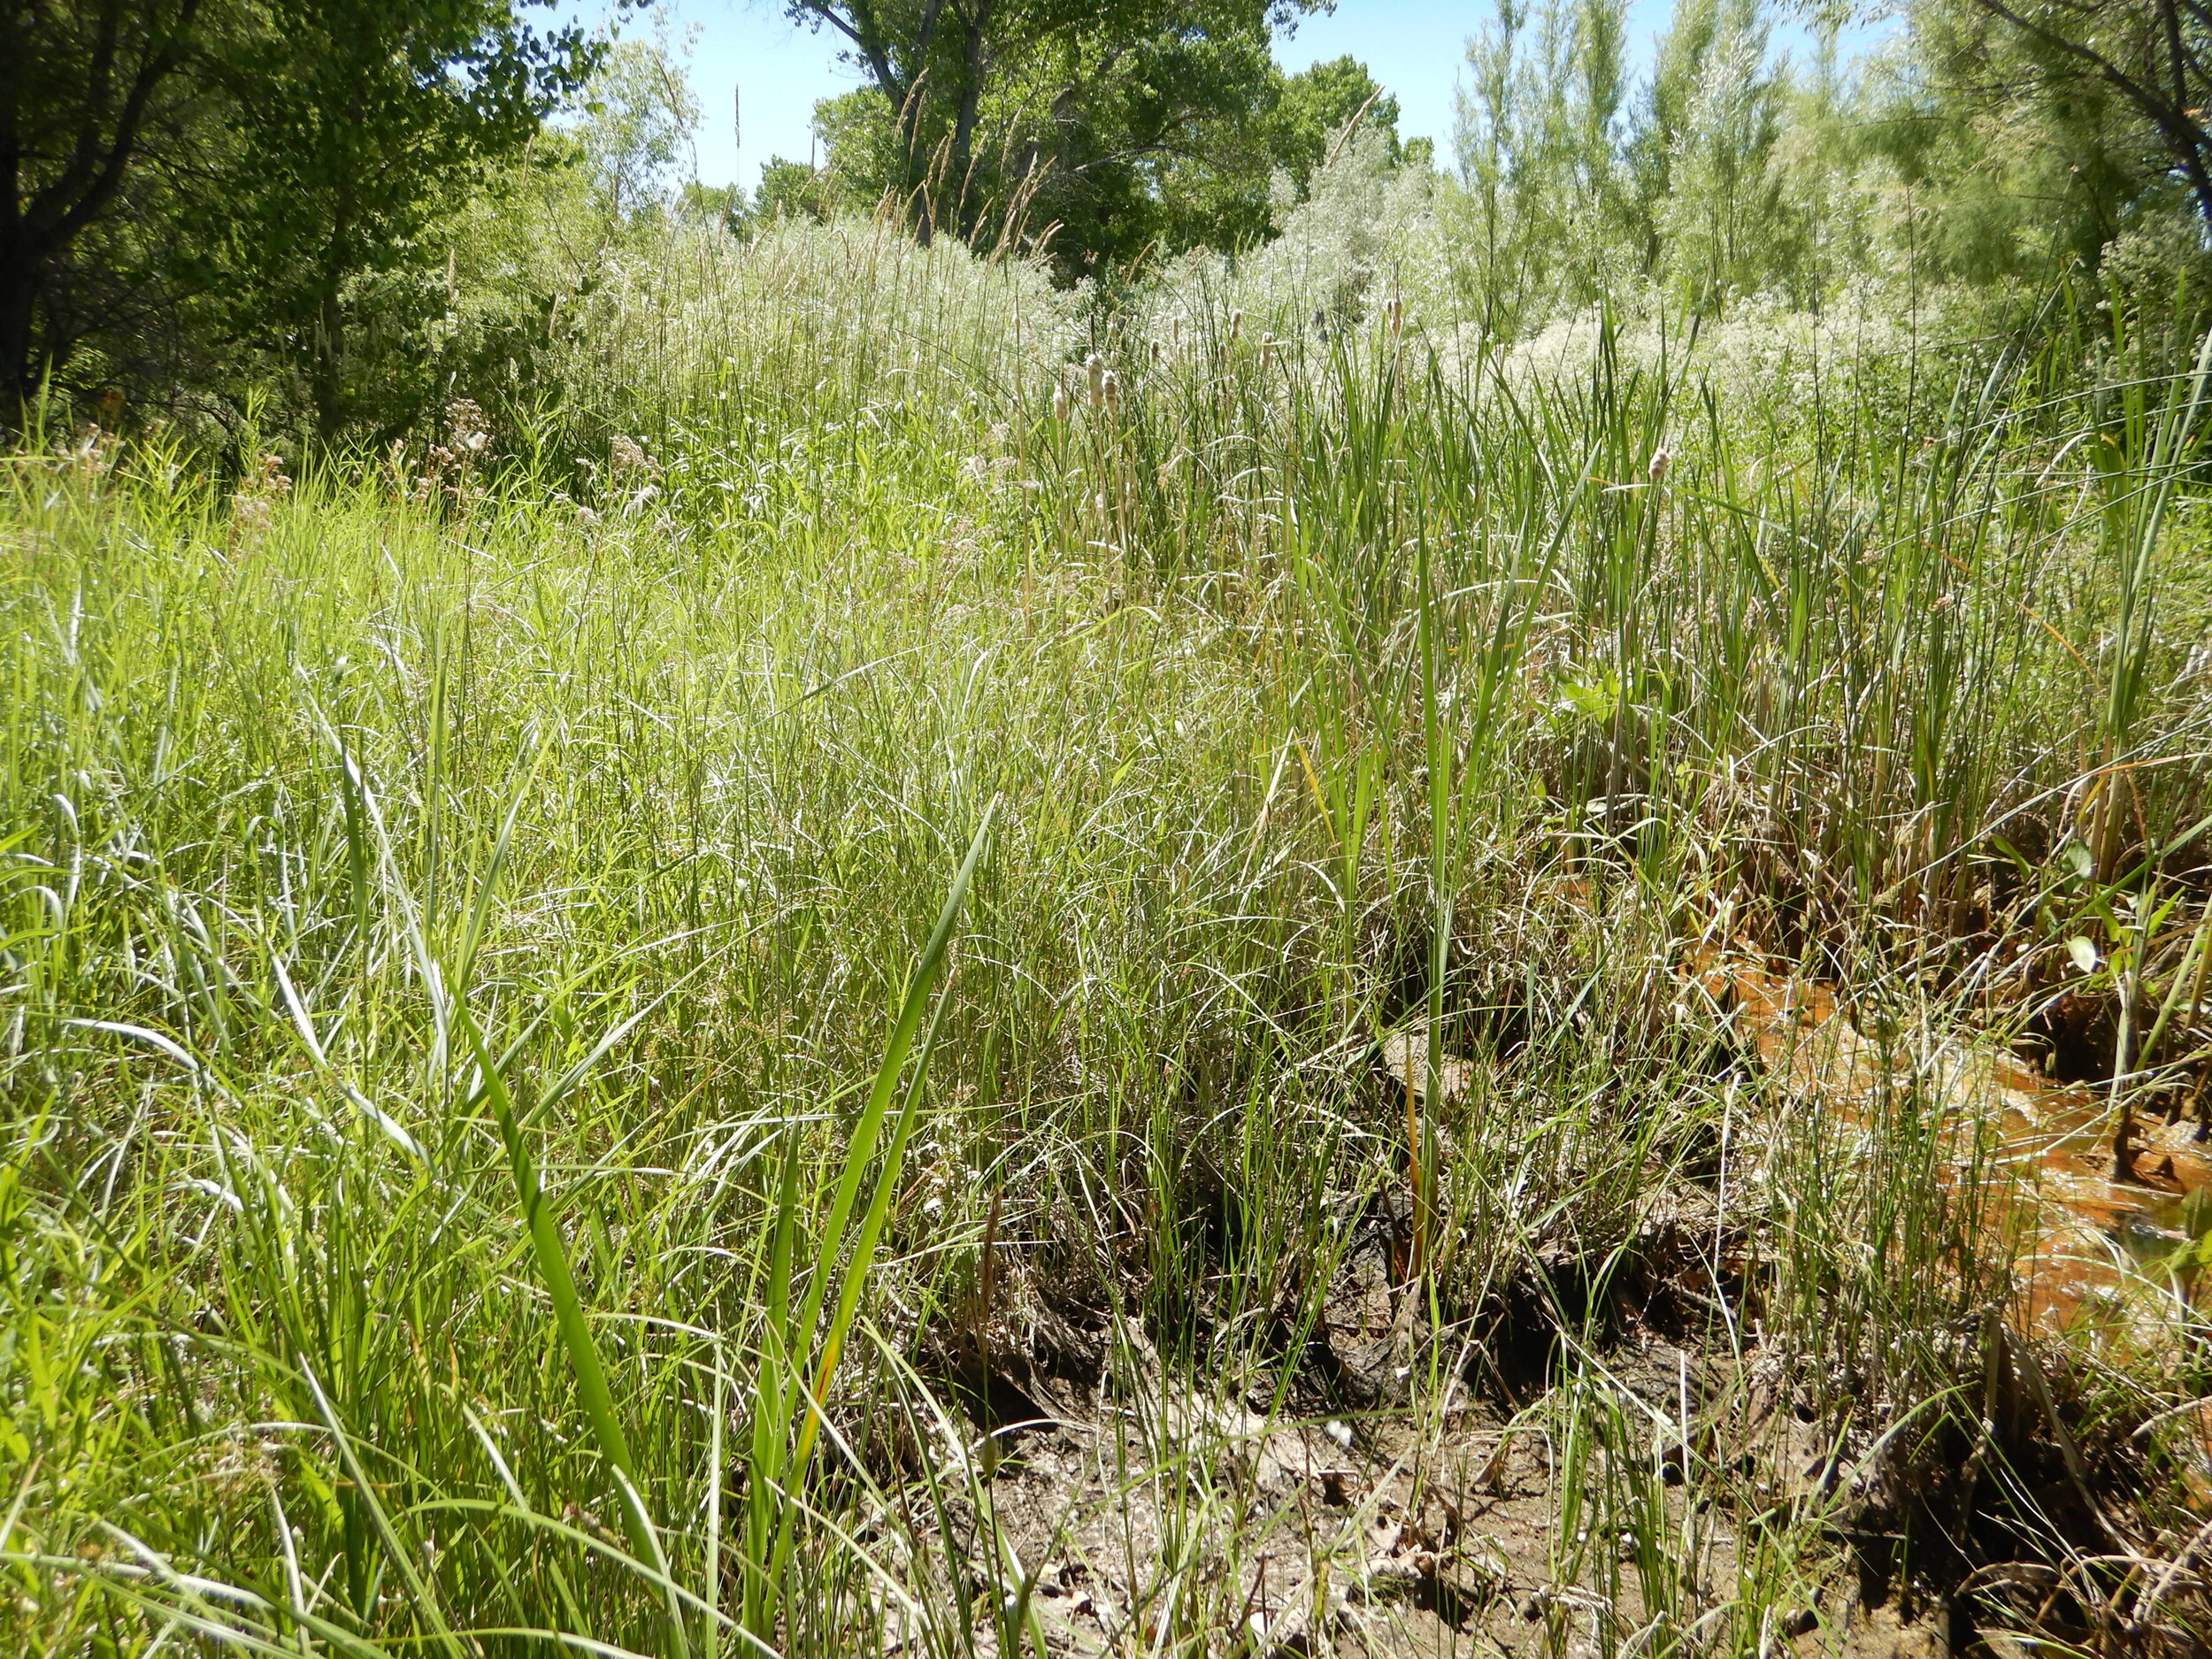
[[778, 70]]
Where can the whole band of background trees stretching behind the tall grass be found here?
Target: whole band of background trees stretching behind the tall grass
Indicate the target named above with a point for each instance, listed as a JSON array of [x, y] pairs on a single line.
[[346, 218]]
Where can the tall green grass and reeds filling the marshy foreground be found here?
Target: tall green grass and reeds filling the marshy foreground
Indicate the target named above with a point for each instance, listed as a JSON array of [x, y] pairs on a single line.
[[448, 948]]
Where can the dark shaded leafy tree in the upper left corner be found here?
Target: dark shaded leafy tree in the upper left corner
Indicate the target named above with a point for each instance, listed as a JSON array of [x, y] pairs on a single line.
[[240, 167]]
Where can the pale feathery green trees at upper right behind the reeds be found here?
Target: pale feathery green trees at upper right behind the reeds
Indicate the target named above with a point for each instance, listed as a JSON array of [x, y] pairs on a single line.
[[1965, 163]]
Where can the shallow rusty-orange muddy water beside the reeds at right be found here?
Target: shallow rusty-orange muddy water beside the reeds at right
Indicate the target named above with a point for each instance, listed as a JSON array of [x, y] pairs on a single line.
[[2089, 1238]]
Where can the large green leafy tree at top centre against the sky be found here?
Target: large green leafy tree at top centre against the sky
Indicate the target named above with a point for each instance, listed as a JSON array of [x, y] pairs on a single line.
[[1096, 134]]
